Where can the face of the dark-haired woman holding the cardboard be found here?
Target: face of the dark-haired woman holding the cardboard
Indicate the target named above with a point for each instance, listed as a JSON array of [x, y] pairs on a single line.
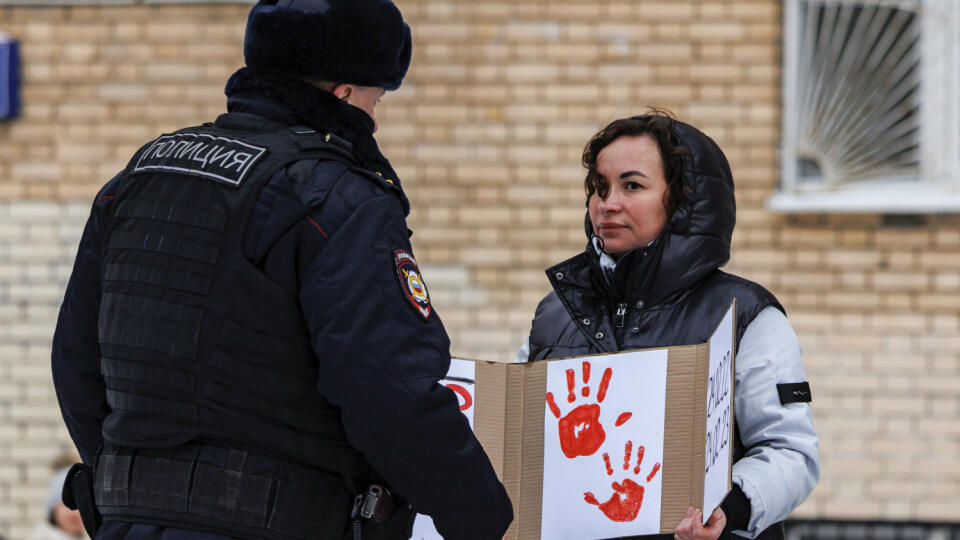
[[633, 214]]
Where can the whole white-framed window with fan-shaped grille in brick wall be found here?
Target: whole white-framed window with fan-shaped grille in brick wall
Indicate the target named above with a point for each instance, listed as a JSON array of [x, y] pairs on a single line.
[[871, 119]]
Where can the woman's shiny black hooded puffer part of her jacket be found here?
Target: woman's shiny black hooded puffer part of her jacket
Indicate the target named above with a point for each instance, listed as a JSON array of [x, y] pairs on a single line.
[[668, 293]]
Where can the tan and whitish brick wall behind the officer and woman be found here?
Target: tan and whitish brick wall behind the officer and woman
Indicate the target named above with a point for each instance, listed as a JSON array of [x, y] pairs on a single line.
[[486, 133]]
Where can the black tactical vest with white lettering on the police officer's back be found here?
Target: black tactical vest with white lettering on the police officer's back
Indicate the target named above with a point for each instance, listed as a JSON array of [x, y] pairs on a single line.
[[214, 423]]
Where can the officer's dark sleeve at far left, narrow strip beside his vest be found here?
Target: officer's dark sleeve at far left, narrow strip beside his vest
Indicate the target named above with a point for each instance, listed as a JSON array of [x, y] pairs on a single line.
[[76, 350]]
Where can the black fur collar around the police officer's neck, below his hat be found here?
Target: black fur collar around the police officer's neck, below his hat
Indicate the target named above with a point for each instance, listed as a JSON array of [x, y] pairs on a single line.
[[295, 102]]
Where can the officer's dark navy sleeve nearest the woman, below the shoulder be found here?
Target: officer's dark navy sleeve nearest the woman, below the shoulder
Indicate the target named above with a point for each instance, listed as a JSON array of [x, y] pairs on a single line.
[[380, 360]]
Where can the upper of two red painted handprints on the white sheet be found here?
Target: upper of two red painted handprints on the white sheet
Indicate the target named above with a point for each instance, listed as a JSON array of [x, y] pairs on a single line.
[[580, 431]]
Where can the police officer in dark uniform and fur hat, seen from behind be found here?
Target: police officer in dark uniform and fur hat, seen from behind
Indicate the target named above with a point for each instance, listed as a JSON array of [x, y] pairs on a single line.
[[246, 347]]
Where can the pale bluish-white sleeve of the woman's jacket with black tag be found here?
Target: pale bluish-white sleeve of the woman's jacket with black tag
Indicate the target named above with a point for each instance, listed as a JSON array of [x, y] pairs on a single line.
[[782, 464]]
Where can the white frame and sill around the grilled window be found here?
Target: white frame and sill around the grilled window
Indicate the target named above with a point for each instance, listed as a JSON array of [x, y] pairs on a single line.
[[937, 189]]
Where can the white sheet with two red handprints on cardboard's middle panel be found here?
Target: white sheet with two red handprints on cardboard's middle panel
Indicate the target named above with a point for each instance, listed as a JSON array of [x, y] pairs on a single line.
[[603, 445]]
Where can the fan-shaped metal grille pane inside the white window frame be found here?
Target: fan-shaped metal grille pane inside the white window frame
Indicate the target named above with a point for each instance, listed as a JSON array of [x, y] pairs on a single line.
[[854, 106]]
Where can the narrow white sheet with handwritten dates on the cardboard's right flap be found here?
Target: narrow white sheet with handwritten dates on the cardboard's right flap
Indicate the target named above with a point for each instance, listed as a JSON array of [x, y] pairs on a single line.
[[716, 474]]
